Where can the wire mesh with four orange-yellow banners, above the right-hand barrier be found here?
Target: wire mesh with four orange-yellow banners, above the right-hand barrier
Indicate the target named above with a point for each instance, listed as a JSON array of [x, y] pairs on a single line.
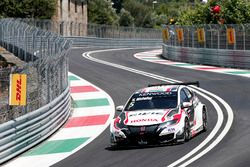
[[232, 37]]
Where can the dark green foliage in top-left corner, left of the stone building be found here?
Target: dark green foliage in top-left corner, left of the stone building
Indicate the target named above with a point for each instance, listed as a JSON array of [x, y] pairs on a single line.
[[28, 8]]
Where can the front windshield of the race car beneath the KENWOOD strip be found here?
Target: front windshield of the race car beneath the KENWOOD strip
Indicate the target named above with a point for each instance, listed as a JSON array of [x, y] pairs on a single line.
[[152, 100]]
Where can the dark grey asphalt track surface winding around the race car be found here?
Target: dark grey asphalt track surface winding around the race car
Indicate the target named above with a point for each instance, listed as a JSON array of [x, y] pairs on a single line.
[[233, 150]]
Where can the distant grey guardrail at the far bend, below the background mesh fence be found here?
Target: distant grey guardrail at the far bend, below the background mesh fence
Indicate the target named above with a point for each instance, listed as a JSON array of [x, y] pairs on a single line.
[[114, 42]]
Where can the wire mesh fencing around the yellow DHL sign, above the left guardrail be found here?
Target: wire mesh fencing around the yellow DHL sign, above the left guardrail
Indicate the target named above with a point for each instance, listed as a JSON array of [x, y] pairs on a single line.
[[44, 59]]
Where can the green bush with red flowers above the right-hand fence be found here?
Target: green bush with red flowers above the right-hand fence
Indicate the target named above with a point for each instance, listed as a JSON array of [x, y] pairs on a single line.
[[232, 12]]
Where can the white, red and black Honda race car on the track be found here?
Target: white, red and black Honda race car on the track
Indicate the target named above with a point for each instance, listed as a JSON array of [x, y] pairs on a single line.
[[159, 114]]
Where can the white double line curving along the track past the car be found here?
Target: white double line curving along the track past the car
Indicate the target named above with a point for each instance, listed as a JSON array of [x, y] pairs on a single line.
[[219, 112]]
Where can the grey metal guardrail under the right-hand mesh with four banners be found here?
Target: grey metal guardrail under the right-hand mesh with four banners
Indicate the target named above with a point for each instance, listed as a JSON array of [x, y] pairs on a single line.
[[216, 57]]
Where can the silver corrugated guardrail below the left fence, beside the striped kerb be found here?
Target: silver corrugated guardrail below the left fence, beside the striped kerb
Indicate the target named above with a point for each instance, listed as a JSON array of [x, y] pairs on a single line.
[[17, 136]]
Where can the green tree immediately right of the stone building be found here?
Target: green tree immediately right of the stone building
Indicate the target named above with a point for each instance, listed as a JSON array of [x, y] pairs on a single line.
[[101, 12]]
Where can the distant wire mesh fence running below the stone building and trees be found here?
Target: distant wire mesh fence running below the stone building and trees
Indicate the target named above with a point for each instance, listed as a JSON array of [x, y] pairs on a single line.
[[94, 30]]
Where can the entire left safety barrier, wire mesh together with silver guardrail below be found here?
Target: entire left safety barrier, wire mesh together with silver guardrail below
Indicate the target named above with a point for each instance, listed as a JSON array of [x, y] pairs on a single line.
[[42, 56]]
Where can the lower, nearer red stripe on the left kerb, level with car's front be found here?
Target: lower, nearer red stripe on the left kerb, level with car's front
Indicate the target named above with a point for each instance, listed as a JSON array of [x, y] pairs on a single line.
[[86, 121]]
